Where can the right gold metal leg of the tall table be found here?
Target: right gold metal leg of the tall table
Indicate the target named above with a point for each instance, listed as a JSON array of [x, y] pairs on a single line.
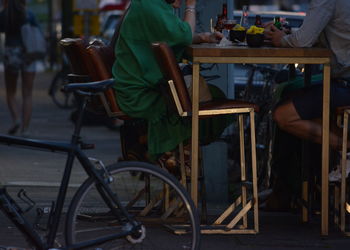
[[325, 149]]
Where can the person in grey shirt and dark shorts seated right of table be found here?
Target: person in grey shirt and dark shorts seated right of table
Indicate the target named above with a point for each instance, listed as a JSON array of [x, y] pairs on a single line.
[[327, 23]]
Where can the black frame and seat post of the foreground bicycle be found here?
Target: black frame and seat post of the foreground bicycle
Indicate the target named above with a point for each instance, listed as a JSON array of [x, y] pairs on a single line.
[[72, 149]]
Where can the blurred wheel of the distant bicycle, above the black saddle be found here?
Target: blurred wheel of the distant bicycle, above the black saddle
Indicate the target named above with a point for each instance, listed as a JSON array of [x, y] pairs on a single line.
[[61, 99]]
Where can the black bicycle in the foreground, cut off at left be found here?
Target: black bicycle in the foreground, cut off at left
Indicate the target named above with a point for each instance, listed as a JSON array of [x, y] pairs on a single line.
[[128, 205]]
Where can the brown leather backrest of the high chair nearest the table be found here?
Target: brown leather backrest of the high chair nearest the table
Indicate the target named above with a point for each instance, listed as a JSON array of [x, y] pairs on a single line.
[[171, 72]]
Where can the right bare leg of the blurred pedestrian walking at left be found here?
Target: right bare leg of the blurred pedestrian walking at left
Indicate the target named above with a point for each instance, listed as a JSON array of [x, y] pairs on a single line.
[[27, 90]]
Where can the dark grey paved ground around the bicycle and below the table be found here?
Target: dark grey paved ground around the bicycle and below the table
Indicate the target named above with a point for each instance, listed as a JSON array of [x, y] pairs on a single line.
[[40, 172]]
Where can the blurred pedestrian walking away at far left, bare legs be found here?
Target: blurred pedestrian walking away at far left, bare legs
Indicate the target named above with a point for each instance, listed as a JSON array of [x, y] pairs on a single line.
[[12, 18]]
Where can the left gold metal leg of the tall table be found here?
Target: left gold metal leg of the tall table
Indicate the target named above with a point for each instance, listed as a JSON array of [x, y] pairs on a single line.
[[195, 130]]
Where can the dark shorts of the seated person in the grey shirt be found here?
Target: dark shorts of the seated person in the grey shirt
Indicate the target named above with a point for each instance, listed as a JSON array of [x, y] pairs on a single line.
[[308, 102]]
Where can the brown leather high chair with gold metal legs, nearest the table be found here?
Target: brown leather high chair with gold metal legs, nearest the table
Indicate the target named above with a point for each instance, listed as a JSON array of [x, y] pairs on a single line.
[[181, 100]]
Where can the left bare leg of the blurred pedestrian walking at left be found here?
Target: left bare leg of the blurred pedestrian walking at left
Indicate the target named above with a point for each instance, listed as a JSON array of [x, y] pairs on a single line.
[[11, 88]]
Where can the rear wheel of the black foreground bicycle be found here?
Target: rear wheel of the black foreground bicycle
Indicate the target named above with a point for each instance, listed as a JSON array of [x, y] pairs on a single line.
[[88, 215]]
